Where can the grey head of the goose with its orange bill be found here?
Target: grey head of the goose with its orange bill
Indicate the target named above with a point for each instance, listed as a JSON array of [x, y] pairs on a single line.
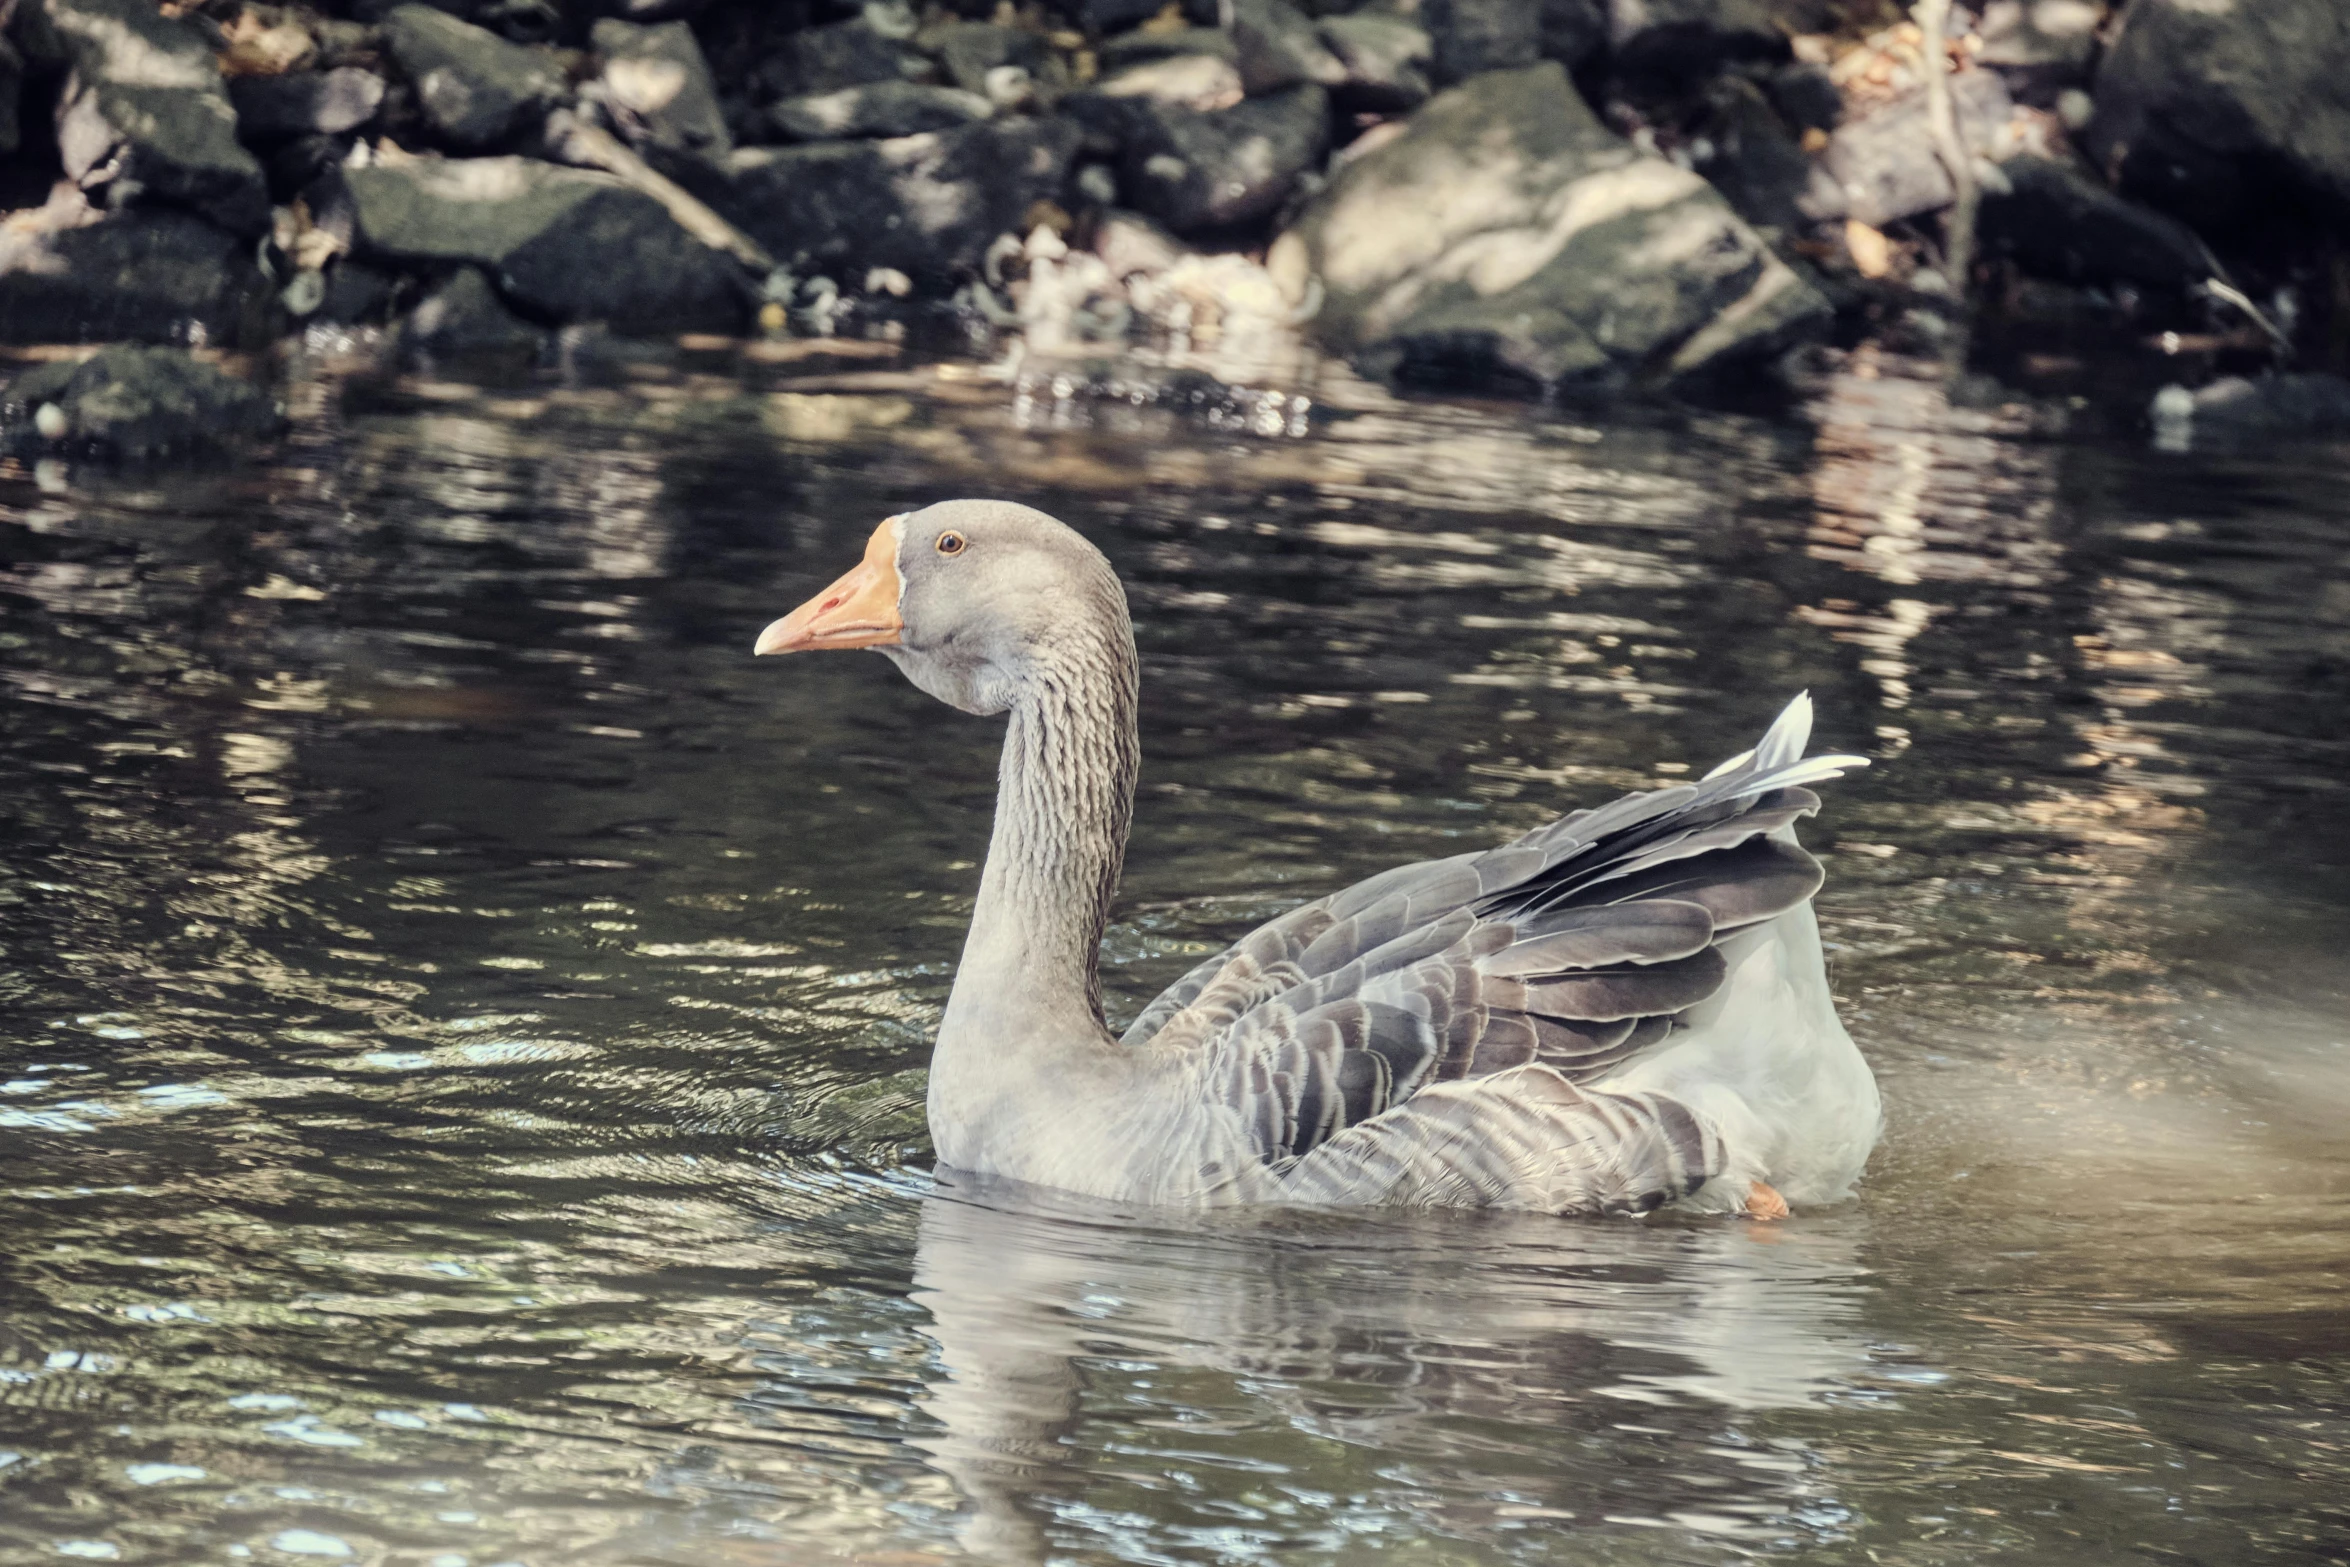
[[974, 600]]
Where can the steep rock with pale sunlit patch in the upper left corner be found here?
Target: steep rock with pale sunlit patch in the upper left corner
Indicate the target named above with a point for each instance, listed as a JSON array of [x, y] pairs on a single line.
[[147, 116]]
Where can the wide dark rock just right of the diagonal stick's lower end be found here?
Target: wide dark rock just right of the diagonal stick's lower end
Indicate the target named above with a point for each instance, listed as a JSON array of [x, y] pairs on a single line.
[[927, 206]]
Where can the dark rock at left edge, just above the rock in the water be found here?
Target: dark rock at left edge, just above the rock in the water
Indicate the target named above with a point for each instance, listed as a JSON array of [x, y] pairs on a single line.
[[140, 276]]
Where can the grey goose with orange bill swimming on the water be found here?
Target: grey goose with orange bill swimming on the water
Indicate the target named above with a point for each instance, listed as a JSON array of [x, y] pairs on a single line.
[[1618, 1014]]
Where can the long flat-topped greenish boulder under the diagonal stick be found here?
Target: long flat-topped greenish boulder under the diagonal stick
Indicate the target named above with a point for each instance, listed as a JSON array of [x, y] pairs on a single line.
[[565, 246]]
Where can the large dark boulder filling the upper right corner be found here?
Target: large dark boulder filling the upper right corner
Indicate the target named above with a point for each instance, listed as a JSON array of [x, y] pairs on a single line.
[[2215, 109]]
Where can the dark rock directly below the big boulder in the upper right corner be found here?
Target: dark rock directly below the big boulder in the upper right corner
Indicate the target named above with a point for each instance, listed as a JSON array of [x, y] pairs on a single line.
[[2060, 222]]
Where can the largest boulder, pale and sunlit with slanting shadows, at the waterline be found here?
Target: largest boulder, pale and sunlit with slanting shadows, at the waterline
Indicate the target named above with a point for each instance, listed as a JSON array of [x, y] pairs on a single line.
[[1540, 253]]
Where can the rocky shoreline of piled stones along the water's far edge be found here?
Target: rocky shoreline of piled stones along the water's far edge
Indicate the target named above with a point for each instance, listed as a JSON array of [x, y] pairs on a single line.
[[1564, 199]]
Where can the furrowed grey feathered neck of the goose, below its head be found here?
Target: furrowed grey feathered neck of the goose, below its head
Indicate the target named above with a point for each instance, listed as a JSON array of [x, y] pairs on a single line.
[[1066, 800]]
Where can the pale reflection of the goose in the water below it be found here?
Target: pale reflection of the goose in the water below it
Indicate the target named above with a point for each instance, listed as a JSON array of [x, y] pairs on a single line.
[[1482, 1378]]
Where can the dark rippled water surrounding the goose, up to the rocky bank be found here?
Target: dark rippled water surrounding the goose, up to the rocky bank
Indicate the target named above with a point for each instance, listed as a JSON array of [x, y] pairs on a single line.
[[464, 1018]]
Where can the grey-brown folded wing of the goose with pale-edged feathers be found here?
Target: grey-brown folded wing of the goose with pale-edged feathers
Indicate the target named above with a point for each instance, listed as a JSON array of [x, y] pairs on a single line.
[[1421, 1035]]
